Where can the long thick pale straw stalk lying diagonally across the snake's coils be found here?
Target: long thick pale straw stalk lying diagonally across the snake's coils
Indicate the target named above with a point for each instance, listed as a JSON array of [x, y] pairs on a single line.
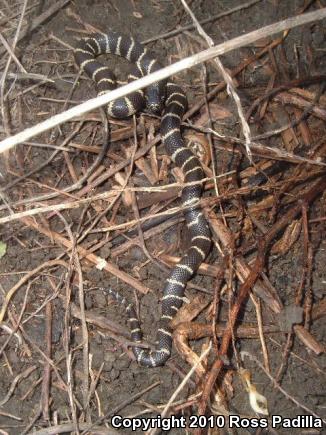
[[183, 64]]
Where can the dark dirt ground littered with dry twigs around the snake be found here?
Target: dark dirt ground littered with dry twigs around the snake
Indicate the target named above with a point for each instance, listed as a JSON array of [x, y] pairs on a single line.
[[65, 359]]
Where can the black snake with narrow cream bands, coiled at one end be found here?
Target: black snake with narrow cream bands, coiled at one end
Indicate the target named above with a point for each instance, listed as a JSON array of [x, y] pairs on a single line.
[[174, 108]]
